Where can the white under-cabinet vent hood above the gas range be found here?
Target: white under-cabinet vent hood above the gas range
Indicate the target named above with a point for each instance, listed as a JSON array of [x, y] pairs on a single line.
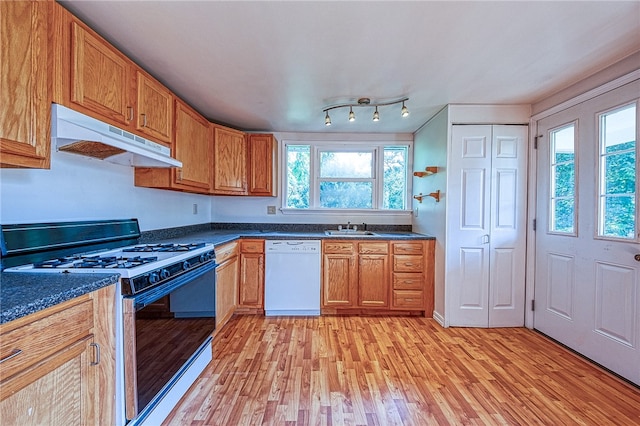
[[80, 134]]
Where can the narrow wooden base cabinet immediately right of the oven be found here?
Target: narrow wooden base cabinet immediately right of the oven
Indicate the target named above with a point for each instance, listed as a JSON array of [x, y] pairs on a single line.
[[226, 283]]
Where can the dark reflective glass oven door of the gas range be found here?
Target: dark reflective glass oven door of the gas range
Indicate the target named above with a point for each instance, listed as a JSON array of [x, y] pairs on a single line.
[[163, 327]]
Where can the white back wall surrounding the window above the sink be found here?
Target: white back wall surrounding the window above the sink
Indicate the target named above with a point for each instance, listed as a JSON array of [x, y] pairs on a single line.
[[231, 209]]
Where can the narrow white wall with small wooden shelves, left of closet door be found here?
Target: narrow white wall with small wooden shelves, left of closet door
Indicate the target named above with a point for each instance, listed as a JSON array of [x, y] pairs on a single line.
[[430, 149]]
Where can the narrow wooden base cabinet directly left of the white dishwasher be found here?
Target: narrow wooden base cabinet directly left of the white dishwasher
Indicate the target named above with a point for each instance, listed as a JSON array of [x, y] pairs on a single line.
[[251, 286]]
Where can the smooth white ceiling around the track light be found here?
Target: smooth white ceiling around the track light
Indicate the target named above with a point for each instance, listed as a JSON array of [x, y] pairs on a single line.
[[275, 65]]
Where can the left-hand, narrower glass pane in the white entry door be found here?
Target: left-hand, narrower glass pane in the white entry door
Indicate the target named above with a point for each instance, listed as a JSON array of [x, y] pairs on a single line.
[[563, 180]]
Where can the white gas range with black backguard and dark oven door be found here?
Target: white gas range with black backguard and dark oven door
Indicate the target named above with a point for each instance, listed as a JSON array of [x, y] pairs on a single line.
[[166, 299]]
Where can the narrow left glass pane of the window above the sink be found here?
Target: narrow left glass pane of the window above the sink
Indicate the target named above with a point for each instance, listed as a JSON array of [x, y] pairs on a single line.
[[298, 166]]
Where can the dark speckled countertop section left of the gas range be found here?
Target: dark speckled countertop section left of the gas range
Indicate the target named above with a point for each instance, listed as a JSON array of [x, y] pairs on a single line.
[[28, 292]]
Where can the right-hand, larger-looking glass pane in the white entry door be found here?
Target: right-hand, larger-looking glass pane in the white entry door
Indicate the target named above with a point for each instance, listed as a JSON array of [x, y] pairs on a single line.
[[617, 210]]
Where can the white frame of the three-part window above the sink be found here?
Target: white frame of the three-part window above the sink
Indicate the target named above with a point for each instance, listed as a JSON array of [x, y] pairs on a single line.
[[376, 147]]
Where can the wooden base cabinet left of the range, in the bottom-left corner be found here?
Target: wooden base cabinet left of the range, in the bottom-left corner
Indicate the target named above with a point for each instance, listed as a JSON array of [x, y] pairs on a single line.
[[58, 364]]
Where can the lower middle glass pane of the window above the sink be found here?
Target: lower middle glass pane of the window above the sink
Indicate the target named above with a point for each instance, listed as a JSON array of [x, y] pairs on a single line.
[[346, 195]]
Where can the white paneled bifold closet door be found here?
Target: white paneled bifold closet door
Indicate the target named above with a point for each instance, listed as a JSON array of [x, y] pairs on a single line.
[[486, 236]]
